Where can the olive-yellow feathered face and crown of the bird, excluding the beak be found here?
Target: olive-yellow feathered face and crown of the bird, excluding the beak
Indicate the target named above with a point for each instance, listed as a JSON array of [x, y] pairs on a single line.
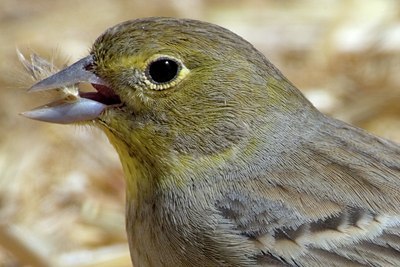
[[181, 83]]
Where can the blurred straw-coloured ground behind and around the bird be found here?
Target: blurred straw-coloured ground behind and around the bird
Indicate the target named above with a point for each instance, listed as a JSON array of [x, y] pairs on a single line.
[[61, 187]]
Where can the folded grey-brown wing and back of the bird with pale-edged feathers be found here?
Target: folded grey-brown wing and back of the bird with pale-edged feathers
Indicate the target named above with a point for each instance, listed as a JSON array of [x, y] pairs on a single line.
[[333, 202]]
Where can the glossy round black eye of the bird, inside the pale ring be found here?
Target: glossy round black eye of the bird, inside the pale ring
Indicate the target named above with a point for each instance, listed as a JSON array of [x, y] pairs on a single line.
[[163, 70]]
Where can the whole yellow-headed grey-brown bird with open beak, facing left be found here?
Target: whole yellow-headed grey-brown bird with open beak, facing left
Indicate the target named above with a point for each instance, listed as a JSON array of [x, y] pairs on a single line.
[[226, 162]]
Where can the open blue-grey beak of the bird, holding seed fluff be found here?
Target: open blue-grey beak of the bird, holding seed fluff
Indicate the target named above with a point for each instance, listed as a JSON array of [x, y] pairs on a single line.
[[86, 107]]
